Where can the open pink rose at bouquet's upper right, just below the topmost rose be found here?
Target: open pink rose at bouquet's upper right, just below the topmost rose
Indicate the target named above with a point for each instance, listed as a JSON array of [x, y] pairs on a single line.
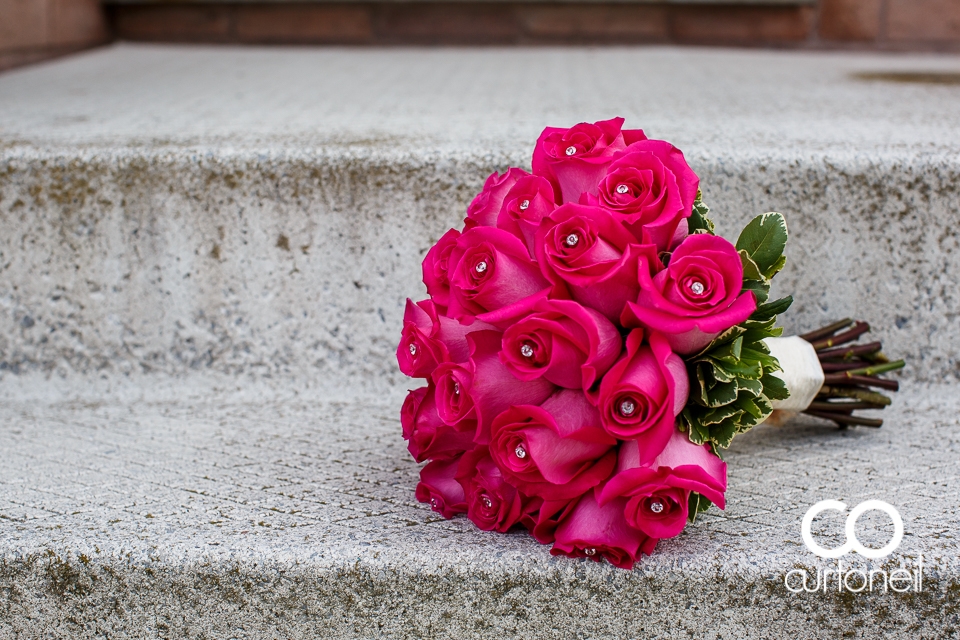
[[651, 189]]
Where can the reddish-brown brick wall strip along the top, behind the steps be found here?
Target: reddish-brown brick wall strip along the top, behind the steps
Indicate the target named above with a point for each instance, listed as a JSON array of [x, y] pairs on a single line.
[[32, 30]]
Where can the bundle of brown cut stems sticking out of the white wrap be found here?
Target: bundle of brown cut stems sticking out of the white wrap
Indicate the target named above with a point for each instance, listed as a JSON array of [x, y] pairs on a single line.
[[852, 372]]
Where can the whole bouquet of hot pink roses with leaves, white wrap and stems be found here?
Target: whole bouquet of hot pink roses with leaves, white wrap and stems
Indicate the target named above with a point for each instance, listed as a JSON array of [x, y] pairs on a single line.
[[590, 347]]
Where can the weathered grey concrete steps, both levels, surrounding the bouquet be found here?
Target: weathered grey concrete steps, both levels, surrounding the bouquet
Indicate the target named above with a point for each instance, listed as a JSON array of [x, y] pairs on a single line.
[[204, 254]]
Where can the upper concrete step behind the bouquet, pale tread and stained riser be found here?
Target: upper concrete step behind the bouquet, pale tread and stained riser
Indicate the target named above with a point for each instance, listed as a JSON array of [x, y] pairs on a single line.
[[265, 211]]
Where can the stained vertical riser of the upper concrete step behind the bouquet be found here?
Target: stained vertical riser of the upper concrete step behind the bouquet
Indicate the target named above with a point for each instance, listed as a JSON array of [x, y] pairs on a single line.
[[300, 264]]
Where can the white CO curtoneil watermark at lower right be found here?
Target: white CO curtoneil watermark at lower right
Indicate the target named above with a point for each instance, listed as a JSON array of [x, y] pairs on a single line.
[[854, 580]]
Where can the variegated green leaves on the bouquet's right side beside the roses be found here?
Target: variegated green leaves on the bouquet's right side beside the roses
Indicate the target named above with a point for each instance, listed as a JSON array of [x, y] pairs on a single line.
[[731, 381]]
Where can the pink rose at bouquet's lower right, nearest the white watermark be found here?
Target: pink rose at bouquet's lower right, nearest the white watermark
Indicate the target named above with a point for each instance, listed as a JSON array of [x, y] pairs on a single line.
[[658, 494]]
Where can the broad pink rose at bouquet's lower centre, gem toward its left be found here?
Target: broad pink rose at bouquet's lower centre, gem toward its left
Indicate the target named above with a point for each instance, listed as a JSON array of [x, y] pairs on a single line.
[[556, 451]]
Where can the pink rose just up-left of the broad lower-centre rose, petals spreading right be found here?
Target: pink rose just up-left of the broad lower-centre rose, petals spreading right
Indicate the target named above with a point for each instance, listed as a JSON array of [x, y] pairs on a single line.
[[483, 388]]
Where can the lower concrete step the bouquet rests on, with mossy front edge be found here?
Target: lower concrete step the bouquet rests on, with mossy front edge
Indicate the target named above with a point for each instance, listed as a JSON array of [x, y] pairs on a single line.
[[224, 509]]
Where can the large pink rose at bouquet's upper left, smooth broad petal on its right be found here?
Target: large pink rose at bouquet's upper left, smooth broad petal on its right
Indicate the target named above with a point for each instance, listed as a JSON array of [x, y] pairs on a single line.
[[492, 272]]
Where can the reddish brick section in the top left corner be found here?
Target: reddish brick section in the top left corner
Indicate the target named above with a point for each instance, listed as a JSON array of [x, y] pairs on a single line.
[[32, 30]]
